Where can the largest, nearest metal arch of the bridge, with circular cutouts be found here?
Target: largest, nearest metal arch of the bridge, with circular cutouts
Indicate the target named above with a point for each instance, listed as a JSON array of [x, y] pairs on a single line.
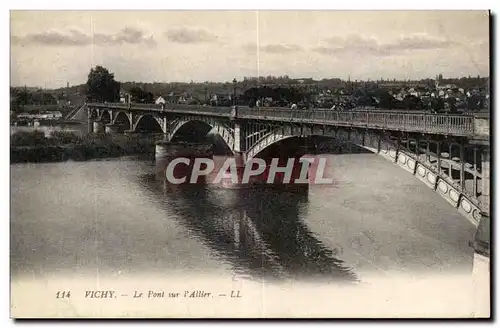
[[418, 164]]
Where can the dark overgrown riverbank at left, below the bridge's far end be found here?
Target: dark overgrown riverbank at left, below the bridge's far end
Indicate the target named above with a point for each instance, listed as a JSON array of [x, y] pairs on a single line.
[[62, 146]]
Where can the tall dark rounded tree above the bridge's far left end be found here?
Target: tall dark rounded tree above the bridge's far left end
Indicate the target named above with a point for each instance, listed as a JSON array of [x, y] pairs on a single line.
[[101, 85]]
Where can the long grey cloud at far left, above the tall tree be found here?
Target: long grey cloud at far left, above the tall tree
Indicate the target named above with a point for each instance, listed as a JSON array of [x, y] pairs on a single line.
[[74, 37]]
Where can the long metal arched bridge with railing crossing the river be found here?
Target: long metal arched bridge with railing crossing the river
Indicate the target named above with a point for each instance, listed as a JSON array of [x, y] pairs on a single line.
[[449, 153]]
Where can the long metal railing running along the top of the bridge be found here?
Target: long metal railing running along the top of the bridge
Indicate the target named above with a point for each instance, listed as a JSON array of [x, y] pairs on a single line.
[[461, 125]]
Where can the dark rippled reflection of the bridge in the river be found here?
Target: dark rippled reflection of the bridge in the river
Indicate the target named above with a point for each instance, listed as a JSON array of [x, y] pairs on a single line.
[[259, 231]]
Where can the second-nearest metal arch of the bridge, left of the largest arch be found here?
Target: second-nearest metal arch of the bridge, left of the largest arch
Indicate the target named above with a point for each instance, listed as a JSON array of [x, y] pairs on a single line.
[[210, 124]]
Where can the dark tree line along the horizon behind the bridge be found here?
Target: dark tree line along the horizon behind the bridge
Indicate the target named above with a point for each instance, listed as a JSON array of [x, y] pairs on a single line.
[[101, 86]]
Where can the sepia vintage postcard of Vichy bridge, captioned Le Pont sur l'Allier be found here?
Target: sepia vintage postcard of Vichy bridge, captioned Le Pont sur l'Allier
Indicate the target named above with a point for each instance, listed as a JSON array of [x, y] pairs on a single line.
[[250, 164]]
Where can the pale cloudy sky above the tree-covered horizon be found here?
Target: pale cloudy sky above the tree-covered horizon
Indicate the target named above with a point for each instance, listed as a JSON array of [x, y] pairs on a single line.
[[51, 48]]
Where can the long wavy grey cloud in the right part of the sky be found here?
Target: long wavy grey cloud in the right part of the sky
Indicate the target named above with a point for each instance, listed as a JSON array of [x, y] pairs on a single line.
[[356, 44]]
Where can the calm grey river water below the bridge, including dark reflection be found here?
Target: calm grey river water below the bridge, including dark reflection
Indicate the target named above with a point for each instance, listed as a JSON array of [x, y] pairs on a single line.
[[114, 218]]
